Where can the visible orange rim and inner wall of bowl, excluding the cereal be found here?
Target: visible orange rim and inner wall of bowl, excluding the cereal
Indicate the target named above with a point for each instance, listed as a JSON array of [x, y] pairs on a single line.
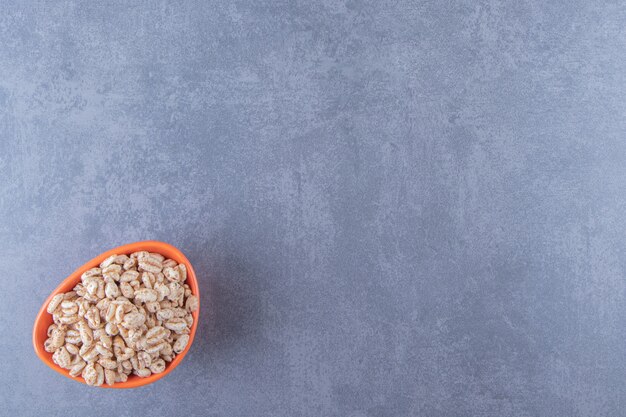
[[44, 319]]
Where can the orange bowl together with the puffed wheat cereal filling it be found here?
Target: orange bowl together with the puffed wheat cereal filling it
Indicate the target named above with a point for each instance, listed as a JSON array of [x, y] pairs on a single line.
[[124, 319]]
